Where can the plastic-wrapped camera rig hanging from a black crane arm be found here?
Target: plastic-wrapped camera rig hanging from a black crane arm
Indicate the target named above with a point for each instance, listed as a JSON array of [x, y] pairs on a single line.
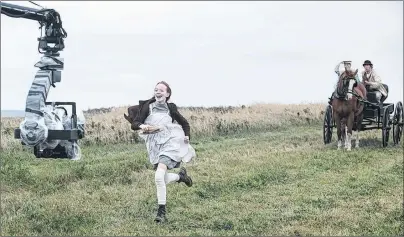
[[34, 131]]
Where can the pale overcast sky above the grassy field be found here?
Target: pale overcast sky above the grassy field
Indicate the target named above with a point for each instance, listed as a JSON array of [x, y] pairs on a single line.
[[211, 53]]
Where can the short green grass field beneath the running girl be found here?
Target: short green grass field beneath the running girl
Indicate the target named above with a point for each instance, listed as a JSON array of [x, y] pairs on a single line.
[[284, 182]]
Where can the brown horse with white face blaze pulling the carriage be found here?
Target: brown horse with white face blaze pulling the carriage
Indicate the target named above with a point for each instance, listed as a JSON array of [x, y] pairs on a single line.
[[347, 108]]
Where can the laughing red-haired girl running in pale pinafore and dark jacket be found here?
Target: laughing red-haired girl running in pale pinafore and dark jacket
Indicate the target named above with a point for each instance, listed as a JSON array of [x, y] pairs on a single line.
[[167, 143]]
